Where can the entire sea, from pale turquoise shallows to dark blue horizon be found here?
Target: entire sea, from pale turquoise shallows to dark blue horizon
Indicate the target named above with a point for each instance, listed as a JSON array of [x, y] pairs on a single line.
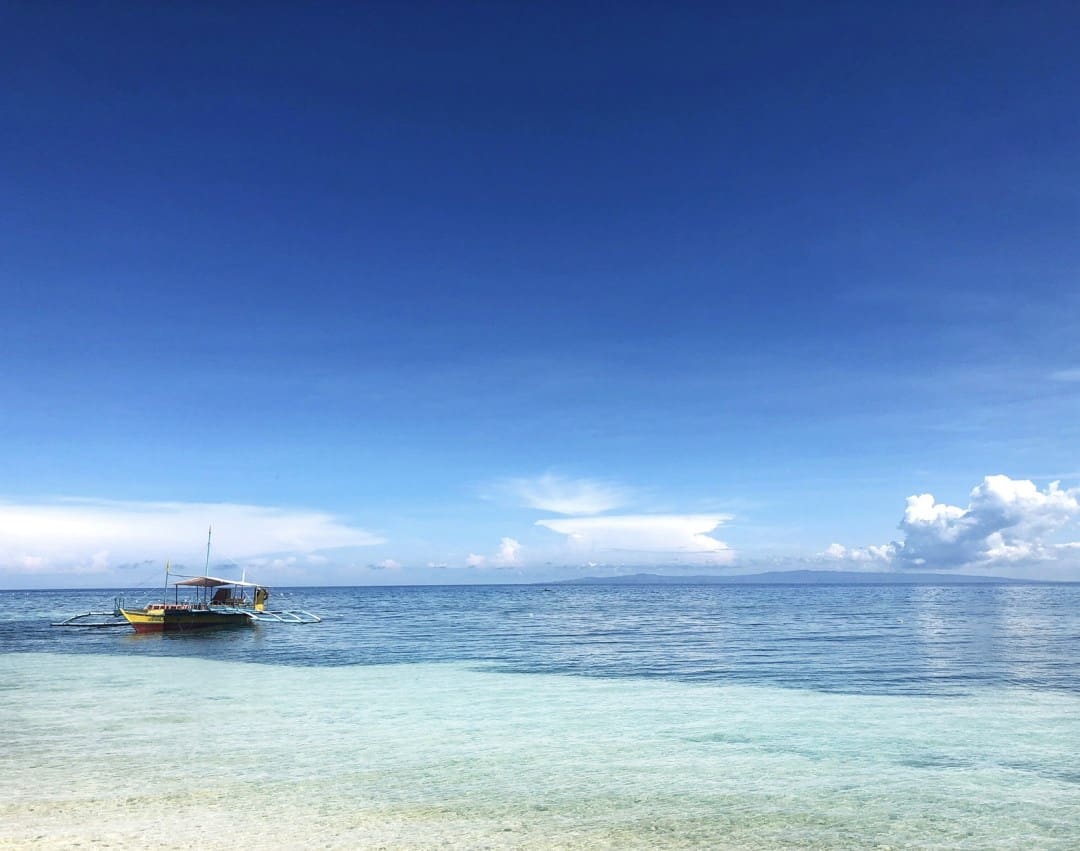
[[926, 717]]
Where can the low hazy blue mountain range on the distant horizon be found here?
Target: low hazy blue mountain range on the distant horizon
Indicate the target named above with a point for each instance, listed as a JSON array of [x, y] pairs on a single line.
[[805, 578]]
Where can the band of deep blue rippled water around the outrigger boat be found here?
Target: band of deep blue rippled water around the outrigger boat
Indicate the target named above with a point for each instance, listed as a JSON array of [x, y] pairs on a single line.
[[881, 640]]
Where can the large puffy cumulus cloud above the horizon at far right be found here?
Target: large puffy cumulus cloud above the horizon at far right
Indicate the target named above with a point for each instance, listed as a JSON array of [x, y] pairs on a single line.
[[1007, 521]]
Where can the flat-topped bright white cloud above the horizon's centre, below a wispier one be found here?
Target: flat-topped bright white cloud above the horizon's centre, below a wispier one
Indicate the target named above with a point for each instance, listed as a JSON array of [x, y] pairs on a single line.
[[673, 535]]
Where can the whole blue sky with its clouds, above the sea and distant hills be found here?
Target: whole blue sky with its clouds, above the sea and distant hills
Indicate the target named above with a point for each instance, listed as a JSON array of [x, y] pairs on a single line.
[[455, 293]]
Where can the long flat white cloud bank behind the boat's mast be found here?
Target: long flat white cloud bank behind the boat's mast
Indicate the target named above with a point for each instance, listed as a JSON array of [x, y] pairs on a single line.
[[93, 536]]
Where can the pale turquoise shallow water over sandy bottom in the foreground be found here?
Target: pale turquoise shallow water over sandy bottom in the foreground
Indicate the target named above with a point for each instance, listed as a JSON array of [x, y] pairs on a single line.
[[125, 752]]
